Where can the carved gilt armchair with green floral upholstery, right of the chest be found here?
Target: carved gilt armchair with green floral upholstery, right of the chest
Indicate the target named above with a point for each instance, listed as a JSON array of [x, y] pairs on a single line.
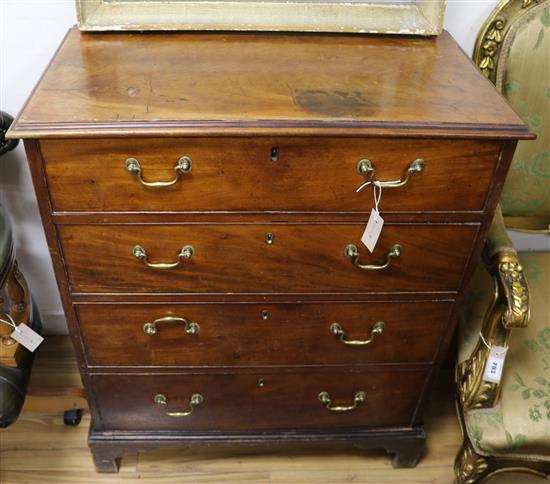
[[506, 425]]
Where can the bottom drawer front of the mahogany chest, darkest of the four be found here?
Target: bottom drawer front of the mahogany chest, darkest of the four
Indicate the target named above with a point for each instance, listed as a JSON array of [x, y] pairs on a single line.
[[259, 400]]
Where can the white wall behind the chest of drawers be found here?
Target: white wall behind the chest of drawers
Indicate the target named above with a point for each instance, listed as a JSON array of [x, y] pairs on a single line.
[[30, 31]]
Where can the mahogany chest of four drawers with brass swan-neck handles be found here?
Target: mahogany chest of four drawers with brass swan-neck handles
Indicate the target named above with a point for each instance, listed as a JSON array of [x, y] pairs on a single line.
[[198, 193]]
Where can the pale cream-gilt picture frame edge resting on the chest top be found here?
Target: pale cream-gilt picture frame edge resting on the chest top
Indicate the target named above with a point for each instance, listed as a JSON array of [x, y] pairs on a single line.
[[416, 17]]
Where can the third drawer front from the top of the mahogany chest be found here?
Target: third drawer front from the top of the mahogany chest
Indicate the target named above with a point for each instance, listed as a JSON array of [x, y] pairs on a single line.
[[247, 334]]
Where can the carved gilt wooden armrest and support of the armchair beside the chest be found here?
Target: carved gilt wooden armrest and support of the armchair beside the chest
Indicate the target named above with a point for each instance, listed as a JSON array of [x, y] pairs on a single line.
[[509, 309]]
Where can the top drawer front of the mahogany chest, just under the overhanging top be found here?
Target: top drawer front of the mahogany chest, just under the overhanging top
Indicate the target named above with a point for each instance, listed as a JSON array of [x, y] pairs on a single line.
[[239, 174]]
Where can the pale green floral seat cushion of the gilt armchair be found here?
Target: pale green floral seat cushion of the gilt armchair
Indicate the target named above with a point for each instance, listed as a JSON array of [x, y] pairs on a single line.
[[519, 426]]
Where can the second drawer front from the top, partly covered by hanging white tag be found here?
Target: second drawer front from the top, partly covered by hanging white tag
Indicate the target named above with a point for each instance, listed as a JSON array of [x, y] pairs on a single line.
[[237, 259]]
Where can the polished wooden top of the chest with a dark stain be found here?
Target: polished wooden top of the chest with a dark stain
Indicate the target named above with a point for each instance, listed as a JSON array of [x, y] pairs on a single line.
[[187, 83]]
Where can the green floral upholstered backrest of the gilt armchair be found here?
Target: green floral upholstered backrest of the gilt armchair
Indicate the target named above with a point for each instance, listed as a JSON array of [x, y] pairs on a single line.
[[525, 83]]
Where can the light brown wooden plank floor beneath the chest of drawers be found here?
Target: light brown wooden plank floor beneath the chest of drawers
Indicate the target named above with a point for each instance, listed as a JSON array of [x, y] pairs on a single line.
[[38, 448]]
